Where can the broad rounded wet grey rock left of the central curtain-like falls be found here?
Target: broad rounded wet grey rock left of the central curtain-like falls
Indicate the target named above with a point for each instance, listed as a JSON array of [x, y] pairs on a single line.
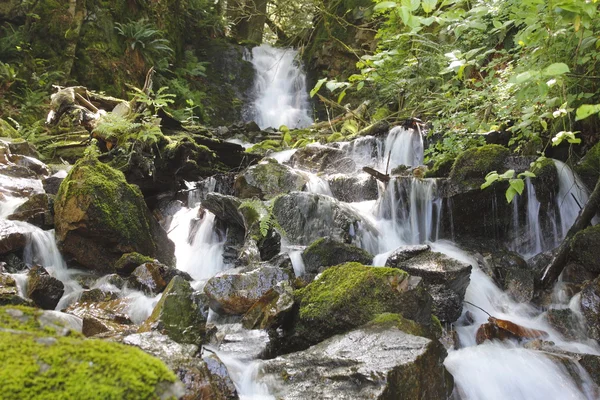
[[306, 217]]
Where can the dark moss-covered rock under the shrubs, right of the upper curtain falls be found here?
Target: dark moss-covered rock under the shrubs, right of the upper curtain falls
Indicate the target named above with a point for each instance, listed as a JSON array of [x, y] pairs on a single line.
[[472, 165]]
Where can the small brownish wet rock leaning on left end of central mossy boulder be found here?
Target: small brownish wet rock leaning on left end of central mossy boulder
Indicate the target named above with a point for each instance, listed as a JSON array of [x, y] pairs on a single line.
[[271, 309]]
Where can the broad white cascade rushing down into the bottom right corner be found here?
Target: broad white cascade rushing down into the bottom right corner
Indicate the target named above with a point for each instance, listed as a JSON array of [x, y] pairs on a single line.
[[503, 370]]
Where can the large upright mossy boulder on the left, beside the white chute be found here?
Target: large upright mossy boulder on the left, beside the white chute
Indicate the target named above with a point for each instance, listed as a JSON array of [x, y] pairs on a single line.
[[99, 217]]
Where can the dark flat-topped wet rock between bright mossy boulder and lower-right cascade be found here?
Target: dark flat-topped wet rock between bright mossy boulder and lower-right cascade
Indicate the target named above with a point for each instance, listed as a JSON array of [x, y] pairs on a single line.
[[446, 278]]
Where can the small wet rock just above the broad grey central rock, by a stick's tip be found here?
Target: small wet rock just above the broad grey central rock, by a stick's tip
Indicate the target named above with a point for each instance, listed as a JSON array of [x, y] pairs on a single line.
[[352, 188]]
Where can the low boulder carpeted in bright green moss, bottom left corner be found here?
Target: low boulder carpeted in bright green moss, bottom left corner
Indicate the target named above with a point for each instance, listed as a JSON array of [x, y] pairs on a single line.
[[39, 362]]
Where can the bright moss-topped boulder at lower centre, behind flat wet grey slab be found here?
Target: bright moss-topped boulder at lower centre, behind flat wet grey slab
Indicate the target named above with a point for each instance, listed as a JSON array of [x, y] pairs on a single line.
[[352, 294]]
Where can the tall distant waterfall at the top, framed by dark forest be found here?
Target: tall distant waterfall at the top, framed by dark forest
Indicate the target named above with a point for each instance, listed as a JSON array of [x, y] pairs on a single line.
[[280, 89]]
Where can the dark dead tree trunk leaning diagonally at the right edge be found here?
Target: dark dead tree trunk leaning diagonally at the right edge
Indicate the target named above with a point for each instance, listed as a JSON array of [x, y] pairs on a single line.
[[584, 218]]
